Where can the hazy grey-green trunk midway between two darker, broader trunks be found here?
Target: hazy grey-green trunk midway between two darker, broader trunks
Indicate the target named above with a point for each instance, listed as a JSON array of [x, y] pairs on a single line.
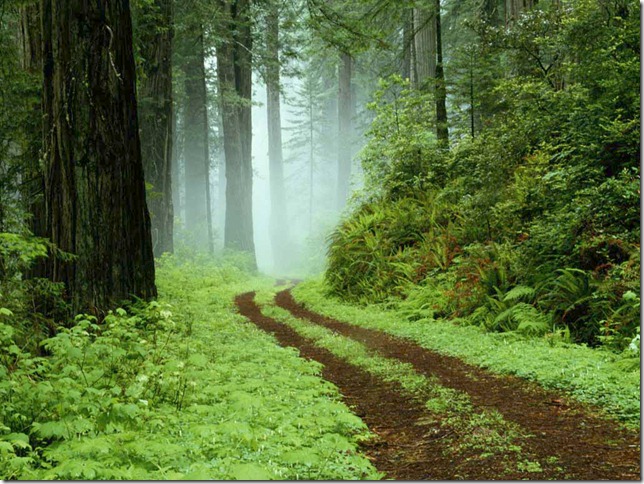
[[196, 149]]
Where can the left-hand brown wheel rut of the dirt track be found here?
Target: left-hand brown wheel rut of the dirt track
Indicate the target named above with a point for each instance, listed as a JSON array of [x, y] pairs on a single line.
[[406, 448]]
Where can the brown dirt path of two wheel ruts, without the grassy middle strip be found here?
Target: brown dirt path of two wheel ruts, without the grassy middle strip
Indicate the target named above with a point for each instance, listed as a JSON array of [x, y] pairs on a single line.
[[566, 438]]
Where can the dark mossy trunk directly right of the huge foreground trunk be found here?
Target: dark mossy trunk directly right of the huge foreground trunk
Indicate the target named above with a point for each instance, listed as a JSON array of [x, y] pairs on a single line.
[[155, 115]]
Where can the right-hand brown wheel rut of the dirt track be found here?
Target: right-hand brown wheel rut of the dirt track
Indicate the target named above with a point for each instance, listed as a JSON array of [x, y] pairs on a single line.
[[588, 447]]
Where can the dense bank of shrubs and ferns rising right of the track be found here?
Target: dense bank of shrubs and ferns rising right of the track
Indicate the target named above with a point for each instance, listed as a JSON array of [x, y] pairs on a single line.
[[530, 221]]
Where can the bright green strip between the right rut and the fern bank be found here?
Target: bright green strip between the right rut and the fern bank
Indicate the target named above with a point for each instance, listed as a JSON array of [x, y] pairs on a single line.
[[595, 376]]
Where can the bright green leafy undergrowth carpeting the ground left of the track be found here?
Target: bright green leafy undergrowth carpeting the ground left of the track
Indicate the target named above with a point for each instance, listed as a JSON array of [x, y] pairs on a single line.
[[182, 388]]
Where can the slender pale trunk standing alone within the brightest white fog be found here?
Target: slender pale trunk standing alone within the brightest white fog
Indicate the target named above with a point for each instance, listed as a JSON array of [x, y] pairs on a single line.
[[278, 225]]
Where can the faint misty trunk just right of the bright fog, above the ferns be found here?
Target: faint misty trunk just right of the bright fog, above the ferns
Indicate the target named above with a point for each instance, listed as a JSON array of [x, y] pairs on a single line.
[[345, 129]]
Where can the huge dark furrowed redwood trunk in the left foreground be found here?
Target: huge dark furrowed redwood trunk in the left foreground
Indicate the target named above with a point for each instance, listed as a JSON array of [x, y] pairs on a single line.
[[94, 183]]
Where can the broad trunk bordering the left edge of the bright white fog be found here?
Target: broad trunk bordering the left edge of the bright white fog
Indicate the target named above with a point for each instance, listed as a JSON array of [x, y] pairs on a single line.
[[235, 74]]
